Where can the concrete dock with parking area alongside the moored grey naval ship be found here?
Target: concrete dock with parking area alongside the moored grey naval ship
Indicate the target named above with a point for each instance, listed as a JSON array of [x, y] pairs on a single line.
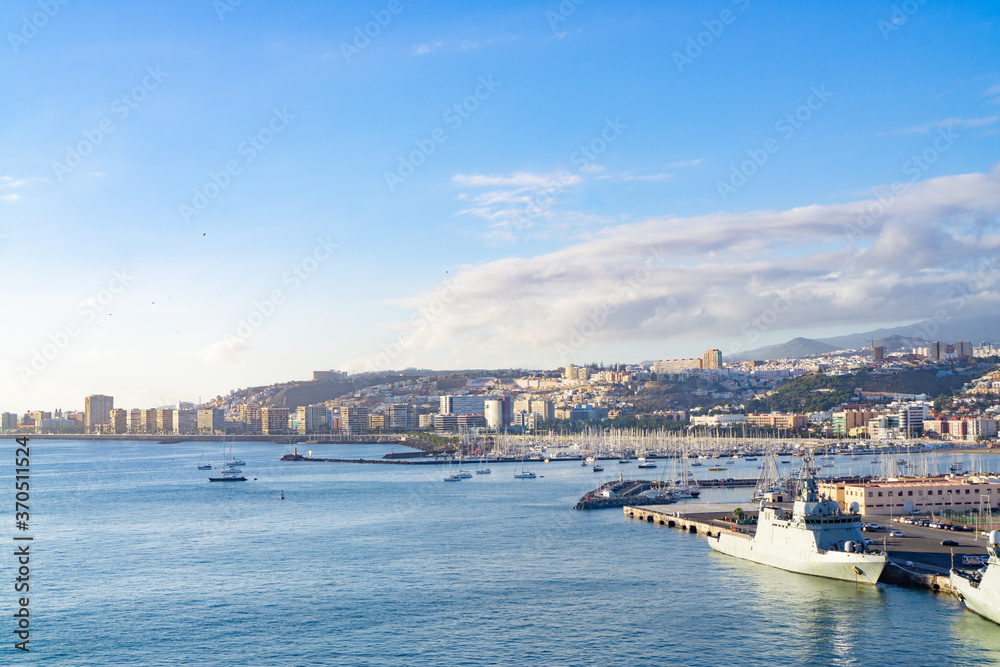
[[916, 560]]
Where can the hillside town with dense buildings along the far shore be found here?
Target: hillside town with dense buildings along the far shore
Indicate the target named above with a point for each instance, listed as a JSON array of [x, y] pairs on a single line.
[[704, 395]]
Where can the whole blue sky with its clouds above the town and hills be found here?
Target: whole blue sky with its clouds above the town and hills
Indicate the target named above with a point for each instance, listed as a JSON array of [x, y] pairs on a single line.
[[572, 195]]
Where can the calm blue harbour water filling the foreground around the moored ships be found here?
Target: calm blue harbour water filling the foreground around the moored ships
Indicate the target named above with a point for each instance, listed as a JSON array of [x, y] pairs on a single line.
[[139, 560]]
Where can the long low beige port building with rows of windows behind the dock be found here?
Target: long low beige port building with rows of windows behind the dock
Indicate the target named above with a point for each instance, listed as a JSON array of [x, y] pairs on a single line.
[[928, 494]]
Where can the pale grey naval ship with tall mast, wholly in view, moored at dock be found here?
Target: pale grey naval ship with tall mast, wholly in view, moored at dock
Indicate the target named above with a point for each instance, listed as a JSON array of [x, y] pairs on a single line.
[[815, 538]]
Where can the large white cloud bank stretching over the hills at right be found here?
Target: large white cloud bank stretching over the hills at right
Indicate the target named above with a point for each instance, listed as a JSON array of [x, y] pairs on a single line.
[[936, 248]]
